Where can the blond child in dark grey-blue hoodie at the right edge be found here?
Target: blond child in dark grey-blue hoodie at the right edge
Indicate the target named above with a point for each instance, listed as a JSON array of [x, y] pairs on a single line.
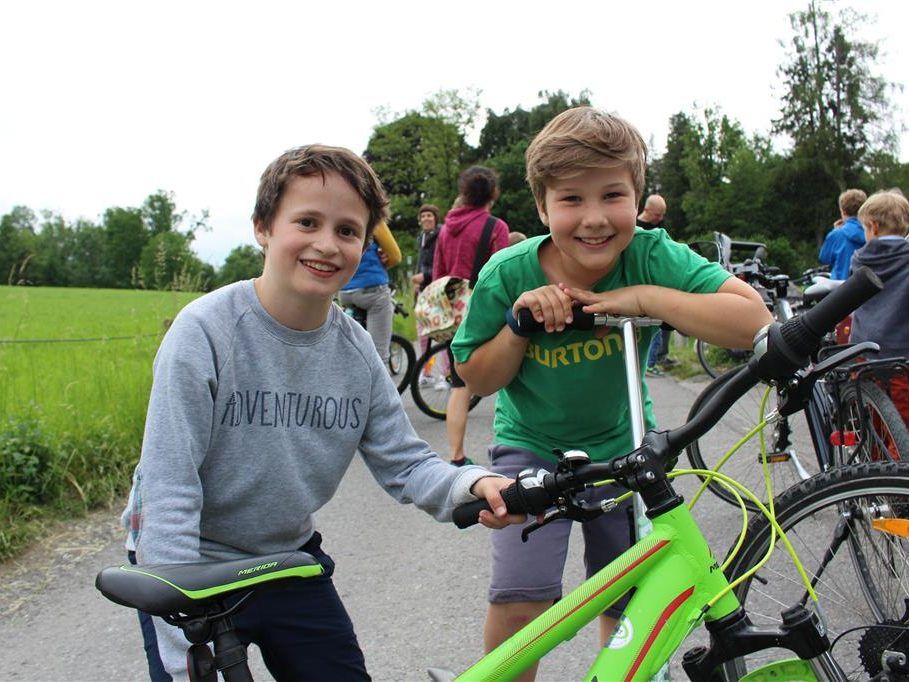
[[885, 218]]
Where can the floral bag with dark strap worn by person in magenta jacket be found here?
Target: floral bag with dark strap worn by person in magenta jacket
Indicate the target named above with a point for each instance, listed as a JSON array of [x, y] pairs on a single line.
[[442, 303]]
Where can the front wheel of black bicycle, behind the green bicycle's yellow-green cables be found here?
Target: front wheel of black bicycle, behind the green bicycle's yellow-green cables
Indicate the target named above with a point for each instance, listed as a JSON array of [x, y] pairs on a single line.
[[788, 462]]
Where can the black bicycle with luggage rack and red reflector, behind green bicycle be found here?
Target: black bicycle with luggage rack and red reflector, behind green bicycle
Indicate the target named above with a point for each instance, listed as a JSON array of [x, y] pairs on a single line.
[[830, 414]]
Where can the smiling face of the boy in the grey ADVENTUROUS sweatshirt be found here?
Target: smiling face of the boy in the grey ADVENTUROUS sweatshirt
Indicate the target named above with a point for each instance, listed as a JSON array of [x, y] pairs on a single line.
[[312, 249]]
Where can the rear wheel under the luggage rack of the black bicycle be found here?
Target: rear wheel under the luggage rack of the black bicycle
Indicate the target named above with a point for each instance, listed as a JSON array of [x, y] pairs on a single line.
[[887, 439]]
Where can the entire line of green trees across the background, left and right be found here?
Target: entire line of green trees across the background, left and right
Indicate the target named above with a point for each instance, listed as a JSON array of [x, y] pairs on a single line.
[[835, 120]]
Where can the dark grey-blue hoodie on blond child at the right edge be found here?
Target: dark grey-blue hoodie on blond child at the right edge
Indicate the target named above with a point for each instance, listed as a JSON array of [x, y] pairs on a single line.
[[883, 318]]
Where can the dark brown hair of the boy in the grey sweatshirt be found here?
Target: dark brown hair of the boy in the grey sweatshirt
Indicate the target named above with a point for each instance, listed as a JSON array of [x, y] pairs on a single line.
[[318, 159]]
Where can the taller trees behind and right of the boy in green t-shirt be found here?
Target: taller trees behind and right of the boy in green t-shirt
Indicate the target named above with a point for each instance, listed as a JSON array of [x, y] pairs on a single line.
[[835, 120]]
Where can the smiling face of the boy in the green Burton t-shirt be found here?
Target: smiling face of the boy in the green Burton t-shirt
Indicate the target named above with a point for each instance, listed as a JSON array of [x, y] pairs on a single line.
[[591, 217]]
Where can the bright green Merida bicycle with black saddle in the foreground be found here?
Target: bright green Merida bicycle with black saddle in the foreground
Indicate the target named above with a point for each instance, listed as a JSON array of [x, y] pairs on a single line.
[[856, 581]]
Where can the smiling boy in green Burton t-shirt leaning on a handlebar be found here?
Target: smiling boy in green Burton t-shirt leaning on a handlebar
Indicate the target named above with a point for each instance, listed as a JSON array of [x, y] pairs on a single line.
[[565, 388]]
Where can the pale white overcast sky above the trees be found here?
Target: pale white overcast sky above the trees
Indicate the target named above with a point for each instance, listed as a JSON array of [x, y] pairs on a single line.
[[106, 102]]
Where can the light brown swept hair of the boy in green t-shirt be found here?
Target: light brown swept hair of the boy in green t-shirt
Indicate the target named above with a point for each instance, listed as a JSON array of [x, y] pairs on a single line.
[[582, 138]]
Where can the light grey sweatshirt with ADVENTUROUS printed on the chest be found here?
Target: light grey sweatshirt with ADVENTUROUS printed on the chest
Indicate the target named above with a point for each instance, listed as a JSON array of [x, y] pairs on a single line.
[[251, 426]]
